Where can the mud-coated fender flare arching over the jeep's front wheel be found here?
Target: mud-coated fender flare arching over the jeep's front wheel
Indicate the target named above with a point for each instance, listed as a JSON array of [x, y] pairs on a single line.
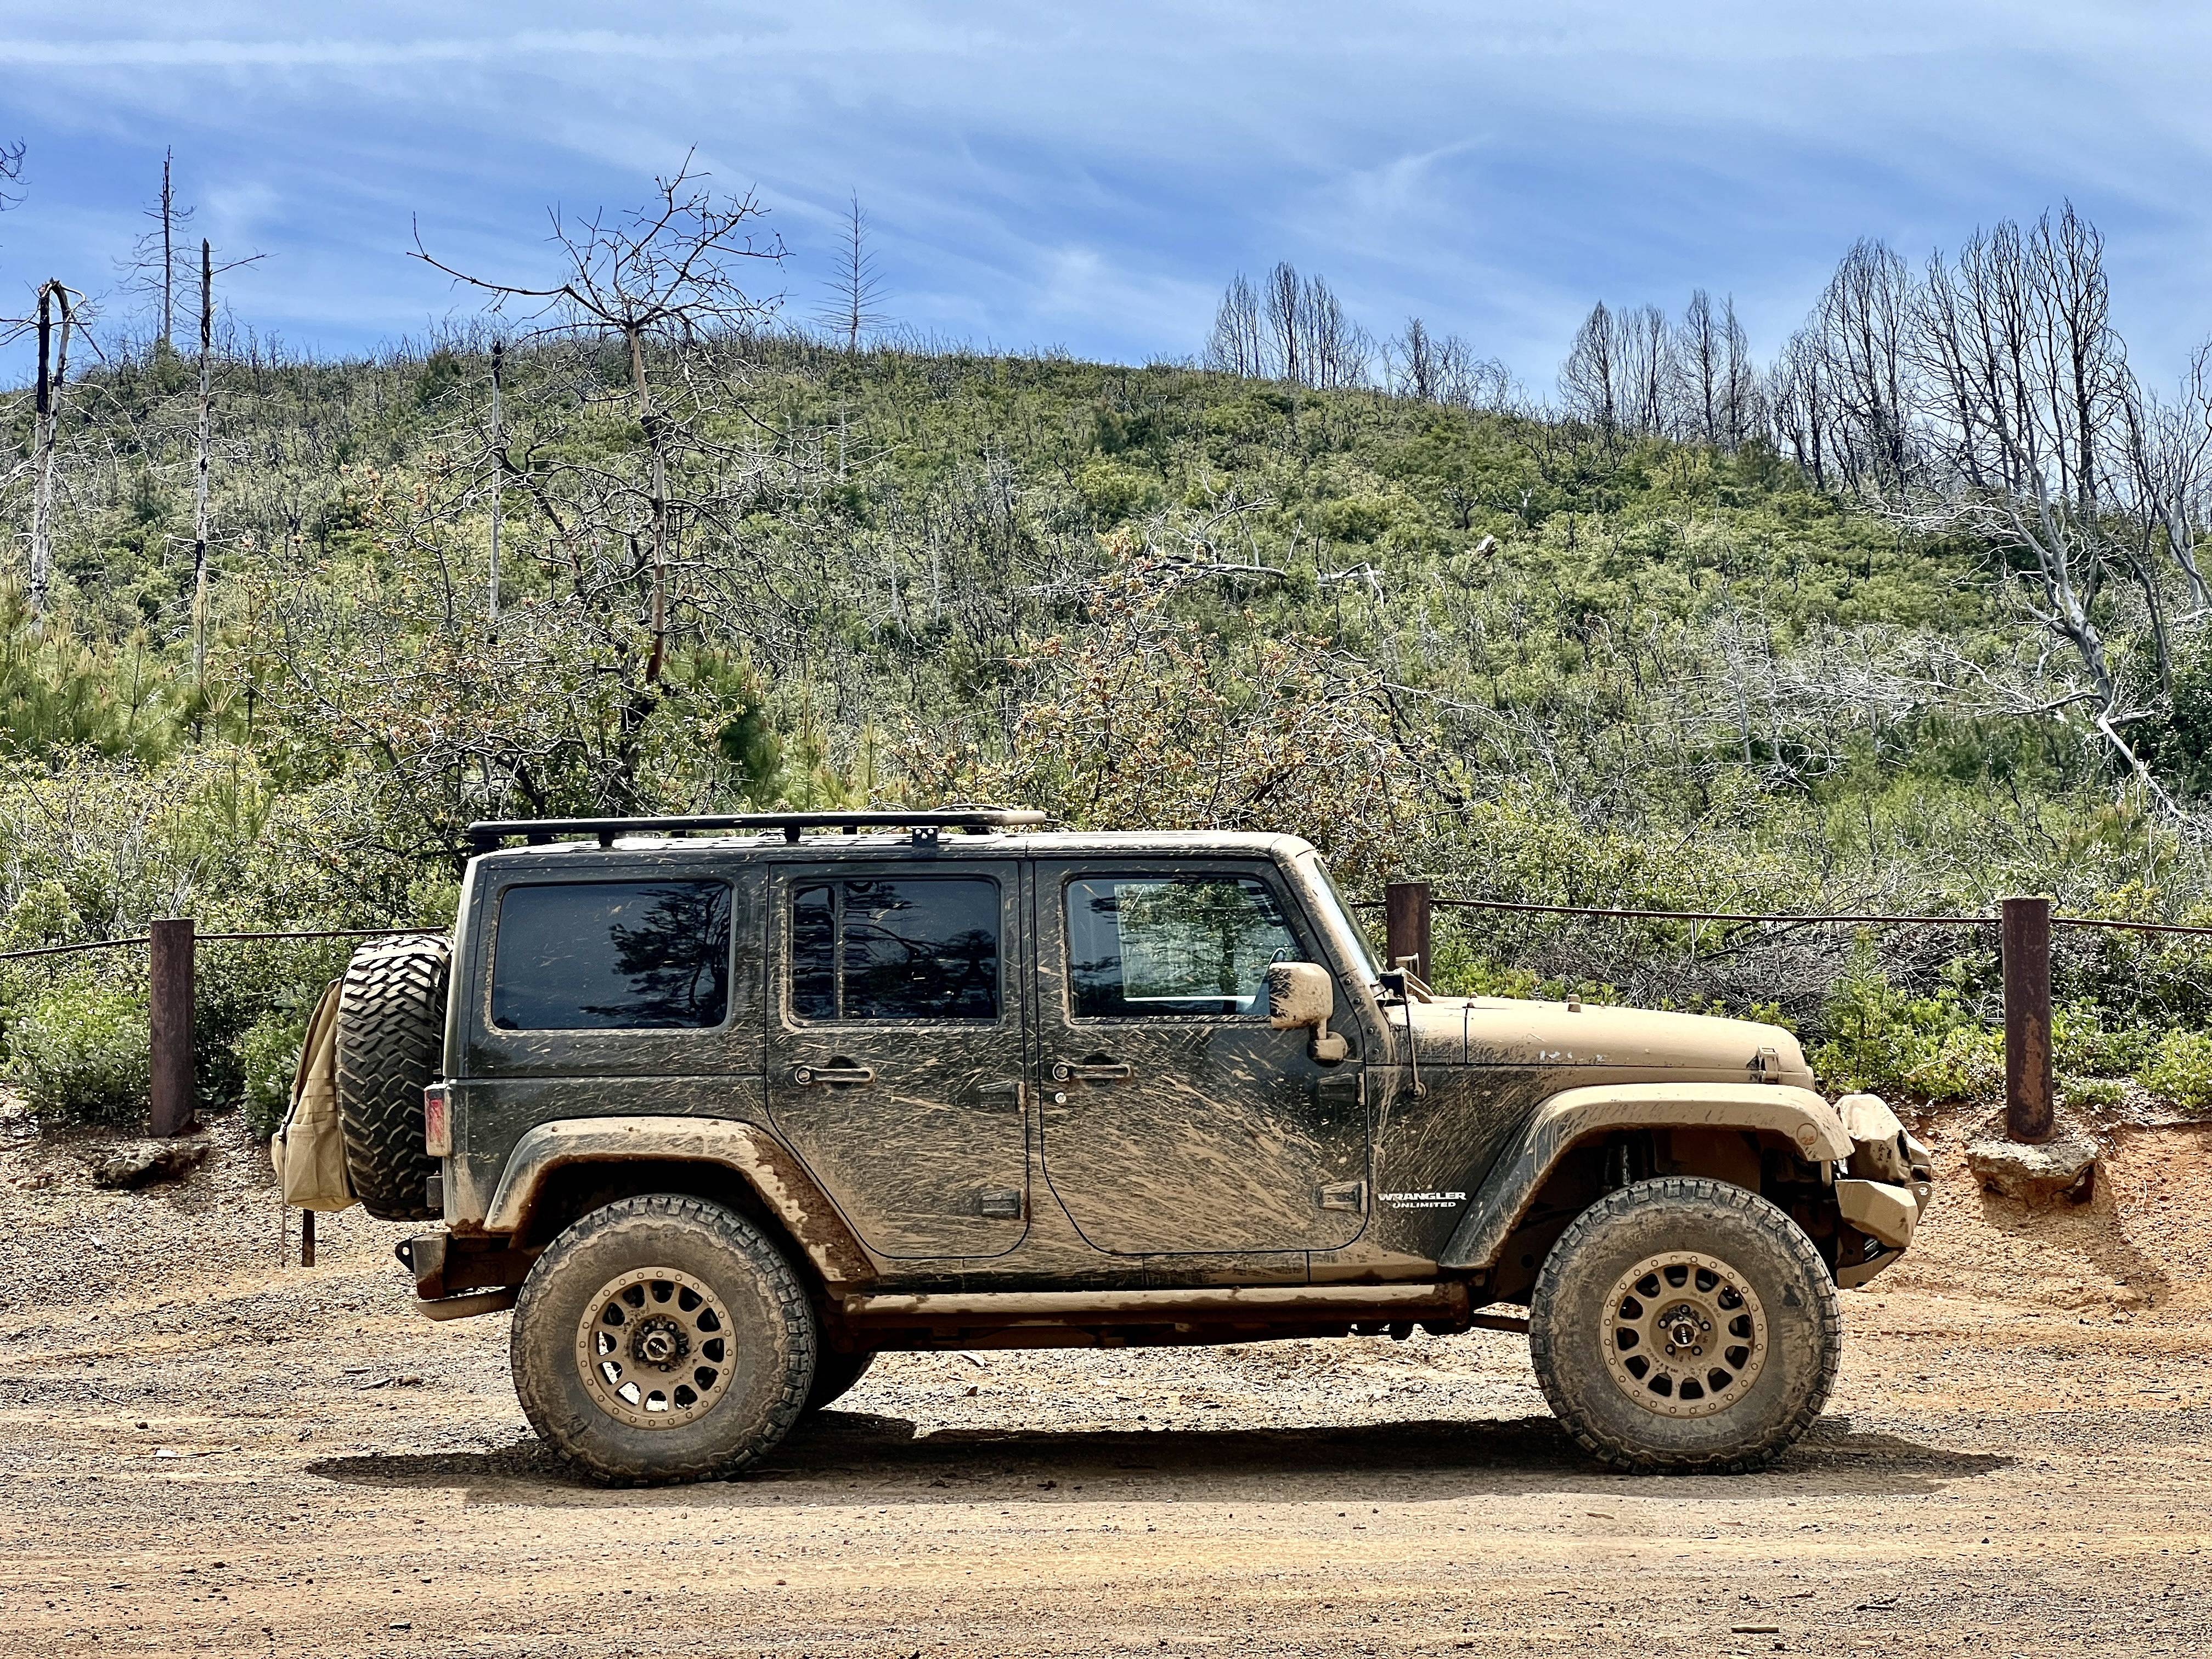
[[1799, 1116]]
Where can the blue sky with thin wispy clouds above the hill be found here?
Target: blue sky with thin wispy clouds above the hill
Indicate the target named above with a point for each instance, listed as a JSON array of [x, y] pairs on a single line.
[[1089, 178]]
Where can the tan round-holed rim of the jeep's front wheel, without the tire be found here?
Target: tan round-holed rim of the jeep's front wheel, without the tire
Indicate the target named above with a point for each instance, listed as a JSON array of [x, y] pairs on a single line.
[[1684, 1335]]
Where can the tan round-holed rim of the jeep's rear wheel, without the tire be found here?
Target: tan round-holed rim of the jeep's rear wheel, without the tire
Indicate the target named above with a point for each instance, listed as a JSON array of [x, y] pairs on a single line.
[[654, 1348]]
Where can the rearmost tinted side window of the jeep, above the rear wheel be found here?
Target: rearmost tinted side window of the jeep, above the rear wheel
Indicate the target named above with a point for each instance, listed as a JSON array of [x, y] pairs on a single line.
[[614, 954]]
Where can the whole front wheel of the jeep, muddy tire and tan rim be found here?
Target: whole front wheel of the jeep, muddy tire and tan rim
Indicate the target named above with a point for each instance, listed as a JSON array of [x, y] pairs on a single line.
[[1684, 1326]]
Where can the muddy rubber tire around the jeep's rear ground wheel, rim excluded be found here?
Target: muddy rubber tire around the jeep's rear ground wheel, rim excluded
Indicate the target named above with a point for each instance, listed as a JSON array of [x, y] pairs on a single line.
[[771, 1353]]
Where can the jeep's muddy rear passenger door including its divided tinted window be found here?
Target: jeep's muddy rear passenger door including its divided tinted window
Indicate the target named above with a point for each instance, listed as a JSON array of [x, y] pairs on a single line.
[[895, 1050]]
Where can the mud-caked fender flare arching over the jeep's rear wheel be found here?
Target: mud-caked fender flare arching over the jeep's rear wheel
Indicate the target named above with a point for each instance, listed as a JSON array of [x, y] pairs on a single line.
[[771, 1169]]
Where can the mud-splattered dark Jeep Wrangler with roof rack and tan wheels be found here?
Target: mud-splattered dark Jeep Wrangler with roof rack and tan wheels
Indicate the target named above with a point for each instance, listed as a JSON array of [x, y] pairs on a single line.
[[727, 1107]]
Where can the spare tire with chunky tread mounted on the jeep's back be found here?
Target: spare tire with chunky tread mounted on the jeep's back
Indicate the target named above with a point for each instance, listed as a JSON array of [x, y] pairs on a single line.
[[390, 1047]]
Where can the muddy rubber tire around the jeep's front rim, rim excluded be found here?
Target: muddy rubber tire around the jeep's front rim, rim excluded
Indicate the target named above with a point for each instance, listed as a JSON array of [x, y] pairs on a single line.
[[1572, 1319]]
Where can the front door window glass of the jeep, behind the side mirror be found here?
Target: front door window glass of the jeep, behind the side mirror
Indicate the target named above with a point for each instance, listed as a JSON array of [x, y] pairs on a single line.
[[1145, 948]]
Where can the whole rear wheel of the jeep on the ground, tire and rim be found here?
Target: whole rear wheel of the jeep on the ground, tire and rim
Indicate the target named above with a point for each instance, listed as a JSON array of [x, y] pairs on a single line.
[[662, 1339]]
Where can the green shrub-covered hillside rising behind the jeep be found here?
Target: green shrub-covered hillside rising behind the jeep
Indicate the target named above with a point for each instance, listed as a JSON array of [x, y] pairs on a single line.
[[1521, 658]]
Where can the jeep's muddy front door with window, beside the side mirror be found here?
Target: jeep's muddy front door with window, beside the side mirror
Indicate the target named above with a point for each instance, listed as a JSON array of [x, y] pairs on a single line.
[[1176, 1120]]
